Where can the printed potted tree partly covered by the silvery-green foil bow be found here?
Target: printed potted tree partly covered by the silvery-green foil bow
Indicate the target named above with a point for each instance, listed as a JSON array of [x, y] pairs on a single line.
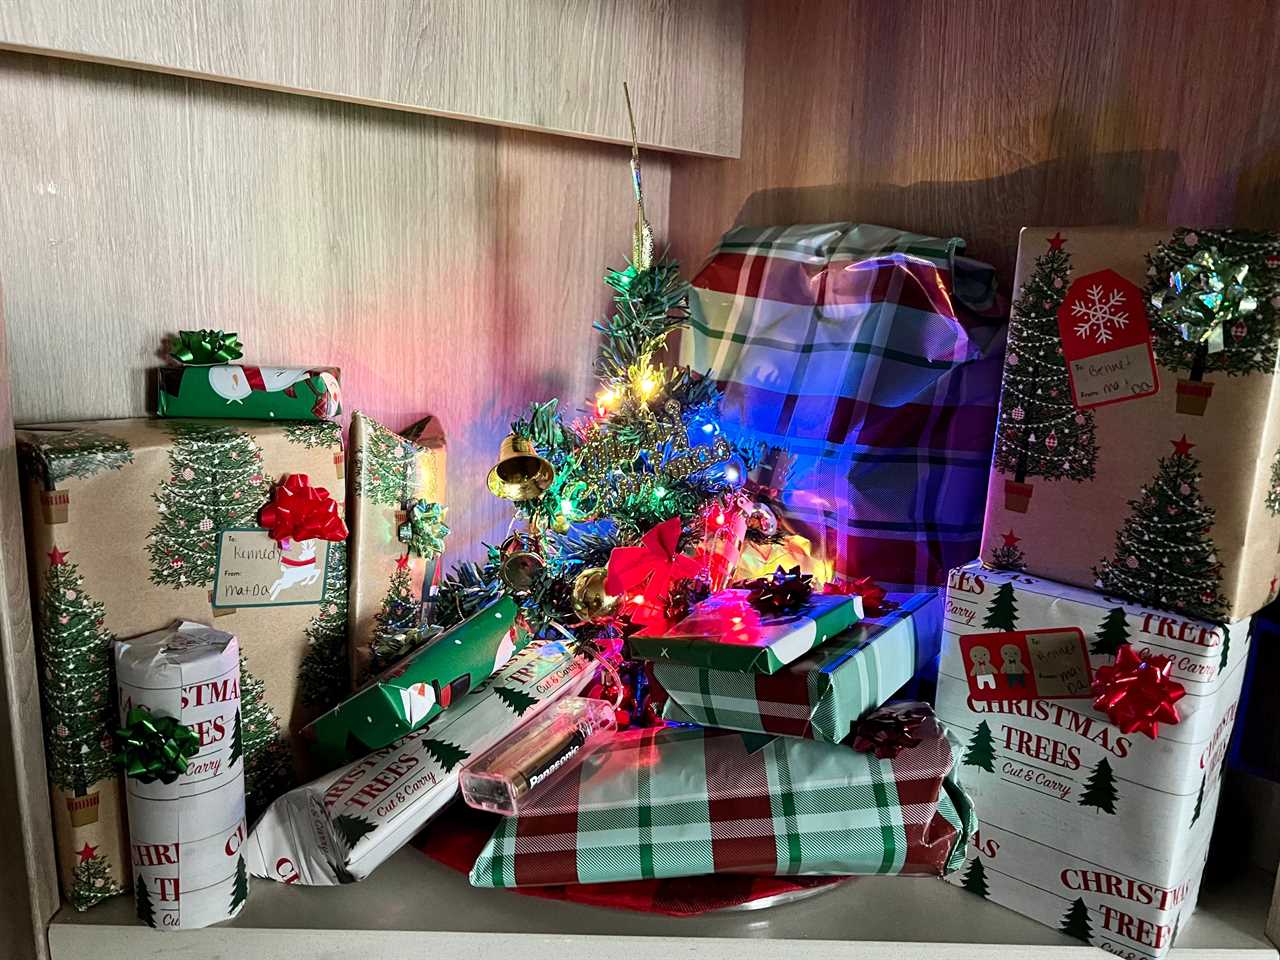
[[1247, 344]]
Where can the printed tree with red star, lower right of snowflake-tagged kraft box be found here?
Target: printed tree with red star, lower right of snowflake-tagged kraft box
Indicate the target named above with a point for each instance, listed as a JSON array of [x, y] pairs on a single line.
[[1164, 555]]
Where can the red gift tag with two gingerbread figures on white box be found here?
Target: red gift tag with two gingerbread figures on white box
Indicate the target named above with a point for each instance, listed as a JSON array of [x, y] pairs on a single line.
[[1027, 665]]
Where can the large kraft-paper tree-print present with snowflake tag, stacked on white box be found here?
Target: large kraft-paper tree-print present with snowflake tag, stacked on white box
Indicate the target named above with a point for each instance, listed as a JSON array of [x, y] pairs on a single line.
[[1140, 409]]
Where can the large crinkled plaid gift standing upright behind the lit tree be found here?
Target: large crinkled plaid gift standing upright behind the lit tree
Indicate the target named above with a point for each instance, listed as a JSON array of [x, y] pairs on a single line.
[[872, 356]]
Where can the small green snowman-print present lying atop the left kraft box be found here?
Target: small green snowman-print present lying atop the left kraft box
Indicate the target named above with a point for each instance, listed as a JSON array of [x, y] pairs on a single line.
[[250, 392]]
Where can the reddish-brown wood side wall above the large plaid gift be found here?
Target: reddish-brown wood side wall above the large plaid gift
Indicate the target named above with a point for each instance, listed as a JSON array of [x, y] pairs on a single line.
[[975, 118]]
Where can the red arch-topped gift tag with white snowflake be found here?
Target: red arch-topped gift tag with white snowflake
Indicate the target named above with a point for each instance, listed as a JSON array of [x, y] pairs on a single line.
[[1107, 341]]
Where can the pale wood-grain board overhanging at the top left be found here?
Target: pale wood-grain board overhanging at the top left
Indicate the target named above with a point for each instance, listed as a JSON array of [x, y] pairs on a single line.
[[550, 66]]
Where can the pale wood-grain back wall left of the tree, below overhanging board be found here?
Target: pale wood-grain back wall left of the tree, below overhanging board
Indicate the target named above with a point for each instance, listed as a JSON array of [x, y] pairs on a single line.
[[446, 267]]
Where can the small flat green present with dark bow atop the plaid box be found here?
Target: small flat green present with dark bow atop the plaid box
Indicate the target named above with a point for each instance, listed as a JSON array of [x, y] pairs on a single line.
[[726, 632]]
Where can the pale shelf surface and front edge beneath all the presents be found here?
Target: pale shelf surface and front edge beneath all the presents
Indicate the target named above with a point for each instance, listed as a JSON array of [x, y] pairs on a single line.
[[415, 908]]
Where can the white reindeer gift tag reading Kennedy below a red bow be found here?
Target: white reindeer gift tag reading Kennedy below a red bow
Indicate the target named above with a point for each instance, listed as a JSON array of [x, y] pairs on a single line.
[[254, 572]]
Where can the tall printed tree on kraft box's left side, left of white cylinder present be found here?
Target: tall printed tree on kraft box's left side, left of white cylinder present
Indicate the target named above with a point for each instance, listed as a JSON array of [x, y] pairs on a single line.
[[77, 689]]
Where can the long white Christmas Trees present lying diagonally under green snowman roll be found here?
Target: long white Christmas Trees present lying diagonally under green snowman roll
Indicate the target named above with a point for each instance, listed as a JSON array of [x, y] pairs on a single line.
[[341, 828]]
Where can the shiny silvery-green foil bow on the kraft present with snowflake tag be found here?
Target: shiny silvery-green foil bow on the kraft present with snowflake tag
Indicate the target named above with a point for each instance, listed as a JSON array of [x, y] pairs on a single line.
[[1204, 298]]
